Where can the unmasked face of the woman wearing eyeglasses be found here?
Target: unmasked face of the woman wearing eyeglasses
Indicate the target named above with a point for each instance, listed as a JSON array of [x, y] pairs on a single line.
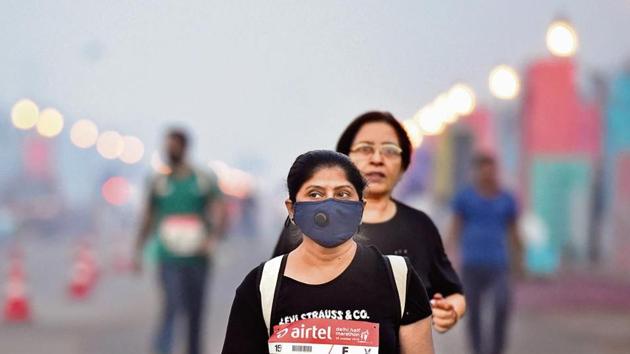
[[373, 151]]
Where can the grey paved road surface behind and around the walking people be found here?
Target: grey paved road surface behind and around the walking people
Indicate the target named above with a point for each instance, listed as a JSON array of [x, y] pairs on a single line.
[[575, 314]]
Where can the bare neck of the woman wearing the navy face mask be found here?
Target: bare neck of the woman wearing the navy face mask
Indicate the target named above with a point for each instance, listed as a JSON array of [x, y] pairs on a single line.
[[315, 255]]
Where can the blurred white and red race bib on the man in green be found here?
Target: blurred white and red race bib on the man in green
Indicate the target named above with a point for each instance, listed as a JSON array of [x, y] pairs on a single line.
[[182, 234]]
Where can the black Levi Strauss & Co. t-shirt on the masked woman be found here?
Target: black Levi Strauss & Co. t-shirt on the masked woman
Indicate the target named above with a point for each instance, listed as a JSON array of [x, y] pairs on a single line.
[[365, 291]]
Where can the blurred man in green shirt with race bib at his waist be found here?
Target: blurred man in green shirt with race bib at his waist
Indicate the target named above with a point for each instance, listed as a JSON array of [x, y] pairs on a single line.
[[186, 214]]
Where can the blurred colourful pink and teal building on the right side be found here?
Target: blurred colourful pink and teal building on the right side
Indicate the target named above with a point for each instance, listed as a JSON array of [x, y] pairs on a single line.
[[566, 155]]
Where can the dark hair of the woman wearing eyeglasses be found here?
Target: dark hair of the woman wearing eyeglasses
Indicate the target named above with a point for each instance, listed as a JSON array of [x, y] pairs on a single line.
[[344, 144]]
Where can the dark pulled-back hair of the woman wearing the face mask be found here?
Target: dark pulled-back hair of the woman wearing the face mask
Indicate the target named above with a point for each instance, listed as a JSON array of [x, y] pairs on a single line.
[[307, 164]]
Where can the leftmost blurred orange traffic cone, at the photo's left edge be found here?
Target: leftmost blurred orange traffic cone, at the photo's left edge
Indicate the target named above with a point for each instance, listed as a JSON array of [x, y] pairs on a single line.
[[16, 306]]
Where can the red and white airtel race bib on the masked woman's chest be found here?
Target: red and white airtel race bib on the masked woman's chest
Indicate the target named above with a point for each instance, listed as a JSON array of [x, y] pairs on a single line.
[[325, 336]]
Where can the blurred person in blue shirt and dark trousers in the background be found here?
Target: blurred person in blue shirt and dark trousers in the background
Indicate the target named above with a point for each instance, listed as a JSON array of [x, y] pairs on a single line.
[[484, 225]]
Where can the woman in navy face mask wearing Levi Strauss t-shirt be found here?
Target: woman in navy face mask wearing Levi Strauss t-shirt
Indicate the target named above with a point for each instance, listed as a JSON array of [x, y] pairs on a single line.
[[330, 294]]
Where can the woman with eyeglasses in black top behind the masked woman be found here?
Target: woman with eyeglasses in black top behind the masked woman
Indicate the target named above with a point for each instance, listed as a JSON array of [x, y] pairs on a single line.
[[379, 146]]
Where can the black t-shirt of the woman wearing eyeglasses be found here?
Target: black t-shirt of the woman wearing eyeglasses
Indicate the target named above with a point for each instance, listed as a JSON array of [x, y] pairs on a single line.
[[410, 233]]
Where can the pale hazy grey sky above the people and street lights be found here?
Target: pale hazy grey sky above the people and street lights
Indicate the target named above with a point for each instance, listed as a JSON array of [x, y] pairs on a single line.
[[271, 79]]
